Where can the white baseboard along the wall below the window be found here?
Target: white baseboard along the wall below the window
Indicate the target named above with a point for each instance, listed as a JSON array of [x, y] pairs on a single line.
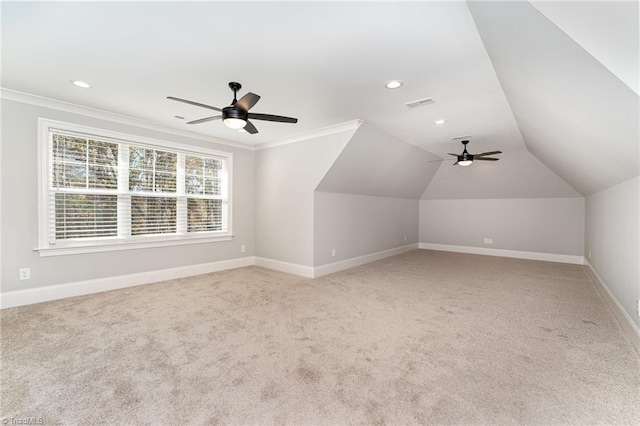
[[80, 288]]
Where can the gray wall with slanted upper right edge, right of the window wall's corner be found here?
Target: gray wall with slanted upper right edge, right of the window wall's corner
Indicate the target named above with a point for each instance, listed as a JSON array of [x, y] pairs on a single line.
[[286, 177]]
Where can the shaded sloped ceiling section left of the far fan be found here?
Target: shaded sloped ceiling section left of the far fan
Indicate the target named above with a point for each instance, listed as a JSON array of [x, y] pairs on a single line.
[[376, 163]]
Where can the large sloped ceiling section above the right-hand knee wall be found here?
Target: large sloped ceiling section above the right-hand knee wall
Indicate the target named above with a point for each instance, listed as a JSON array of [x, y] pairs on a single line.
[[574, 114]]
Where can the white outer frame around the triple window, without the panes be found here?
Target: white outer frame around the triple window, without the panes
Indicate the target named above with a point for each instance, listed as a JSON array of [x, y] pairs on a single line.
[[45, 248]]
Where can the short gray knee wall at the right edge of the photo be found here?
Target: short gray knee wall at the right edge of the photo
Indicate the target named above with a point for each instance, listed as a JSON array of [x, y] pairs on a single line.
[[612, 235]]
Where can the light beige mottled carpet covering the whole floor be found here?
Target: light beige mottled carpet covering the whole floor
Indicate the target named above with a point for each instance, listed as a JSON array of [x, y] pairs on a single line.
[[424, 337]]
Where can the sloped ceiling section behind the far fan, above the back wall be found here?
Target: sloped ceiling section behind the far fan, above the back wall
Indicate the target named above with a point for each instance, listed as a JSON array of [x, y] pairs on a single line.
[[518, 174]]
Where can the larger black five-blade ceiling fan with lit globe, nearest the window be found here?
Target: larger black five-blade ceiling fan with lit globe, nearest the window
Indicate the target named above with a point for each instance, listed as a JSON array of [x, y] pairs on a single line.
[[237, 115]]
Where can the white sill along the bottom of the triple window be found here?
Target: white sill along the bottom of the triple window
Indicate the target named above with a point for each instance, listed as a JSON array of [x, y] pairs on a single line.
[[116, 246]]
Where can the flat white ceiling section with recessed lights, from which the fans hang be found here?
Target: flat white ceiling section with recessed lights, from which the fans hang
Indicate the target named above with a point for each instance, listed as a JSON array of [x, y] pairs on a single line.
[[324, 63]]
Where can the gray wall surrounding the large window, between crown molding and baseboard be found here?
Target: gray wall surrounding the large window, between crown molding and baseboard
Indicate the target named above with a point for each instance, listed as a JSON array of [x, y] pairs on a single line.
[[20, 216]]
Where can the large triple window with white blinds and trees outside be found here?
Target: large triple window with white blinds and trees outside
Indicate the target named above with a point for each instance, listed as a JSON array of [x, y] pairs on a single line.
[[103, 191]]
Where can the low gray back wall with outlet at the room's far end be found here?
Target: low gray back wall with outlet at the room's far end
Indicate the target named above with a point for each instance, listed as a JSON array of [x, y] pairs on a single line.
[[543, 225]]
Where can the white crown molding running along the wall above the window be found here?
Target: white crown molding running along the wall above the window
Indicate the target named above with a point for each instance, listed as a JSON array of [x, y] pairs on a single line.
[[27, 98]]
